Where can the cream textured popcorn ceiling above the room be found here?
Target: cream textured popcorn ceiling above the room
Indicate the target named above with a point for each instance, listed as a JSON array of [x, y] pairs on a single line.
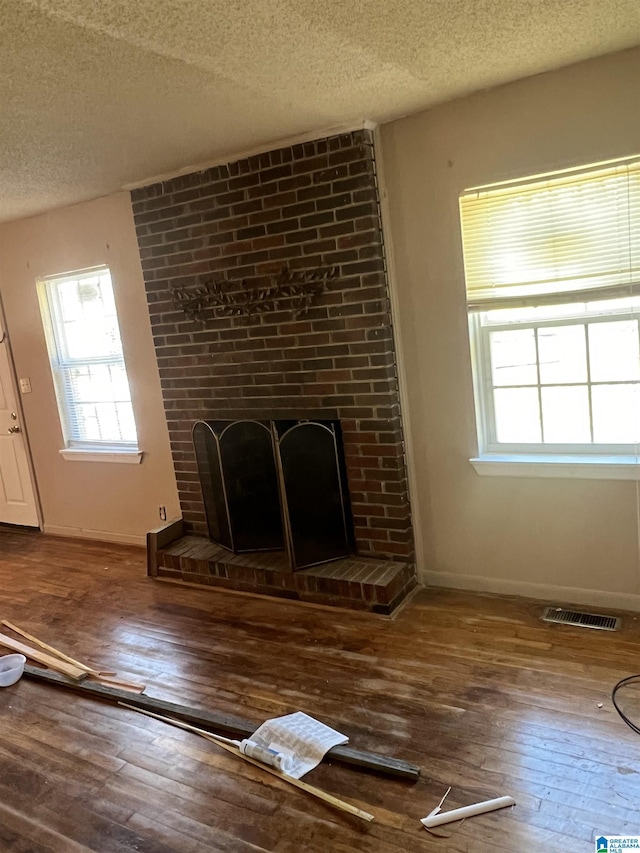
[[98, 94]]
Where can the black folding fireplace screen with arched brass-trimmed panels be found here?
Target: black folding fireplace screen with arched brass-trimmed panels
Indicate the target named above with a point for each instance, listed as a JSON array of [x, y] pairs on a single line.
[[271, 484]]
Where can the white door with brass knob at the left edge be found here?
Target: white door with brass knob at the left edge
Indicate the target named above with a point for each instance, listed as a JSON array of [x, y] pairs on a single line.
[[17, 497]]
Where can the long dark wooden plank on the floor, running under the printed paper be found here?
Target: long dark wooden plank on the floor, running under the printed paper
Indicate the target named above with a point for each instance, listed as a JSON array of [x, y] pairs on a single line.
[[224, 724]]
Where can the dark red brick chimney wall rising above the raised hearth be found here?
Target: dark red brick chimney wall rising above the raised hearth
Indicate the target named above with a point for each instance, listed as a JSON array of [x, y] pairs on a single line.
[[309, 206]]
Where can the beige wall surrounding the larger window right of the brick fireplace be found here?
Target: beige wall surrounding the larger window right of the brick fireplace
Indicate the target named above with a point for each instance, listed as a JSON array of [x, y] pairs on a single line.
[[572, 538]]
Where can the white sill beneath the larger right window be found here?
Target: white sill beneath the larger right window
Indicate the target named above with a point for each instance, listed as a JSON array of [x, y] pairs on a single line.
[[567, 467]]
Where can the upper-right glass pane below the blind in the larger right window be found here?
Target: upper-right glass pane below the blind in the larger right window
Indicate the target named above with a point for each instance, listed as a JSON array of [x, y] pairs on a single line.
[[613, 351]]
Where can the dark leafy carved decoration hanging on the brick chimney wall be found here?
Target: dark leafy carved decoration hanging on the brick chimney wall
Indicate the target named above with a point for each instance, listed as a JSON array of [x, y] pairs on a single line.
[[221, 297]]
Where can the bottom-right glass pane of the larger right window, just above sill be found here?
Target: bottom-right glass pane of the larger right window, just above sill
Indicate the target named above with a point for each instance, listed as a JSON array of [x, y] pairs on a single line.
[[616, 414]]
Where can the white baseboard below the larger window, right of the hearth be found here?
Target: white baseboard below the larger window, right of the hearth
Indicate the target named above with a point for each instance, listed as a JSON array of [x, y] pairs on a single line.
[[544, 592]]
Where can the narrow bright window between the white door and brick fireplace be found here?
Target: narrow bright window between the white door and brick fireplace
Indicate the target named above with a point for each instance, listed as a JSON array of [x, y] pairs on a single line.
[[87, 363]]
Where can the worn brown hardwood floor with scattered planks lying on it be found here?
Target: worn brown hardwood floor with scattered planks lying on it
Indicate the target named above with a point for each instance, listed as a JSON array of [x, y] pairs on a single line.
[[476, 690]]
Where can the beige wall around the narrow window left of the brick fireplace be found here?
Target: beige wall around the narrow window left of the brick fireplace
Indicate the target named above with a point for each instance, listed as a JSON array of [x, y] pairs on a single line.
[[103, 500]]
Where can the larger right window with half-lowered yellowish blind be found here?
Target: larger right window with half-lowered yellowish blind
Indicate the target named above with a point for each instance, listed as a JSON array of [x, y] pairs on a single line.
[[552, 269]]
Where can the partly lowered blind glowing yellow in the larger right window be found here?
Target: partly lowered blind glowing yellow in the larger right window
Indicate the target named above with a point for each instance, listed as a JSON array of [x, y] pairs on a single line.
[[549, 240]]
